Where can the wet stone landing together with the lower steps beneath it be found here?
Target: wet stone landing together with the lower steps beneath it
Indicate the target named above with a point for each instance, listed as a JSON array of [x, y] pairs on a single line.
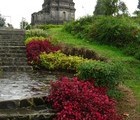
[[22, 93]]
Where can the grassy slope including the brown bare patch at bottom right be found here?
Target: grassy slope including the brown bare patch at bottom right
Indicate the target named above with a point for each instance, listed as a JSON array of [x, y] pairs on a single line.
[[129, 104]]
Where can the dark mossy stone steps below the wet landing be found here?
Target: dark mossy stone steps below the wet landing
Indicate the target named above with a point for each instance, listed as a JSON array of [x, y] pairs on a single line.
[[25, 109]]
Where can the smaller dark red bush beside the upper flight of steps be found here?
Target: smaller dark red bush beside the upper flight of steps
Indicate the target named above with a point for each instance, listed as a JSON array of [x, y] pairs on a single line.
[[34, 48]]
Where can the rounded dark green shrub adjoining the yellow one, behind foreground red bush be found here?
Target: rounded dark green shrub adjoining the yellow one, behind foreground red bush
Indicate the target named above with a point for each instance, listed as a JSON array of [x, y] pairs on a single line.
[[105, 74]]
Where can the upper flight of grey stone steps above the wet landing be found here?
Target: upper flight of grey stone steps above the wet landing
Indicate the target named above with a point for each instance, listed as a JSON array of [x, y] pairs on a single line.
[[12, 51]]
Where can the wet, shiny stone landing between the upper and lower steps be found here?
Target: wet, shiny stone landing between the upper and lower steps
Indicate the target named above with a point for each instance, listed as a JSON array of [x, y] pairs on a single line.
[[21, 85]]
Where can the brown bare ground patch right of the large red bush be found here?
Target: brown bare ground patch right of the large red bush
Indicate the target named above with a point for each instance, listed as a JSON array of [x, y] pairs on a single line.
[[128, 105]]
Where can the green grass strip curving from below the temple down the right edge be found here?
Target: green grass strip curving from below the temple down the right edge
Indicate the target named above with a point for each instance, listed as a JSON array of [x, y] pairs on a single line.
[[132, 79]]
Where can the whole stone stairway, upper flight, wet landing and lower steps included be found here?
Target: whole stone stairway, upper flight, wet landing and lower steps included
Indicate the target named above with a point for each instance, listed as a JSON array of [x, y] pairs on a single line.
[[21, 89]]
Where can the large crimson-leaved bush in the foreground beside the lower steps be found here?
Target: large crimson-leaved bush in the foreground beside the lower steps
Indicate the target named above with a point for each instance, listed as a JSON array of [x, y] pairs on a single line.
[[78, 100]]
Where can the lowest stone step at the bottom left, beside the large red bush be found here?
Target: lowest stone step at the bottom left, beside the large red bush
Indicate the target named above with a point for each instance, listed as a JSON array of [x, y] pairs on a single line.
[[27, 114]]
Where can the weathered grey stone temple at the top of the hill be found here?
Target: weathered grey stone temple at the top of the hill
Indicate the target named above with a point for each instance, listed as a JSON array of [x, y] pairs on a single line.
[[54, 12]]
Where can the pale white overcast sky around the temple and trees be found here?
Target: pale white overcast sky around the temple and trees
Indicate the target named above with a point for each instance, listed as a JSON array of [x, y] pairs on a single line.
[[14, 10]]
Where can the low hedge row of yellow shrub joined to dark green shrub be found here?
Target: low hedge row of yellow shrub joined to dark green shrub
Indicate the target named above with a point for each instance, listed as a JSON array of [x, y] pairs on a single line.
[[105, 74]]
